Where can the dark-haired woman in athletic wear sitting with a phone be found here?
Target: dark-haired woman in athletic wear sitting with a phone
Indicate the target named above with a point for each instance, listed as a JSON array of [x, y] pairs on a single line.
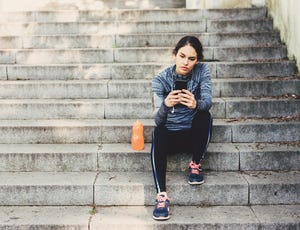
[[182, 98]]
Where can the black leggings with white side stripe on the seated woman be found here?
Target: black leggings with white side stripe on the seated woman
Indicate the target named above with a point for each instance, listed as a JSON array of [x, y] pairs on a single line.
[[164, 142]]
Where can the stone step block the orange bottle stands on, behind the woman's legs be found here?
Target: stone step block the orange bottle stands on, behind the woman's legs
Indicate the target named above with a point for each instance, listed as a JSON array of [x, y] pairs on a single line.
[[220, 156]]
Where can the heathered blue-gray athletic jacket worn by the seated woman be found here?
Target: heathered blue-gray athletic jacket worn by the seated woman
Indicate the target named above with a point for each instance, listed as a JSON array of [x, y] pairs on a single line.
[[180, 117]]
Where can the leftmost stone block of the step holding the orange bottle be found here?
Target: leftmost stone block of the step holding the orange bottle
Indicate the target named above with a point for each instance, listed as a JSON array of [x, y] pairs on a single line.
[[48, 157]]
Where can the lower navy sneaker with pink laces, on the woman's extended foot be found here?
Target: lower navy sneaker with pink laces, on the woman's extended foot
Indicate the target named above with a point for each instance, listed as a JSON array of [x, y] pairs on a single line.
[[161, 210]]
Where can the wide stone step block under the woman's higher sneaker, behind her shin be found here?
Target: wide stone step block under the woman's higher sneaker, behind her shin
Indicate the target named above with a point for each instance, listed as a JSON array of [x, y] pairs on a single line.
[[128, 188]]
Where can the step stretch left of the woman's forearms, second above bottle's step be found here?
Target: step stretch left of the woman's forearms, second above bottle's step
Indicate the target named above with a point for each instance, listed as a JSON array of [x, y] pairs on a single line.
[[76, 109]]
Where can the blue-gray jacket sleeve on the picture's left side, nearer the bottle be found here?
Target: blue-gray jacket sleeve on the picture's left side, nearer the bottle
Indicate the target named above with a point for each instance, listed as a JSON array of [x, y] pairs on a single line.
[[160, 110]]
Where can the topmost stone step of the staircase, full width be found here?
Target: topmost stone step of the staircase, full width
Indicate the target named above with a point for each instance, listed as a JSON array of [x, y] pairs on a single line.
[[142, 15]]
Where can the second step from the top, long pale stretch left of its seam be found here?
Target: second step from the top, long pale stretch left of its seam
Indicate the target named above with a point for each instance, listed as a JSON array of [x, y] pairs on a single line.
[[101, 28]]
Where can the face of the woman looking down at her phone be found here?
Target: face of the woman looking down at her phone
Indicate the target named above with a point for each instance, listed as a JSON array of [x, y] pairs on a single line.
[[185, 60]]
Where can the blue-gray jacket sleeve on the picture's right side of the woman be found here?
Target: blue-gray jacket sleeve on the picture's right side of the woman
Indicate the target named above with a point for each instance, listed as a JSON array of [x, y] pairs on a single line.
[[205, 101]]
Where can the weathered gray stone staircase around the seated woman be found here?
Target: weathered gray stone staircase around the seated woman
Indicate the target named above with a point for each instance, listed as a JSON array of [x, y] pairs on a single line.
[[72, 84]]
